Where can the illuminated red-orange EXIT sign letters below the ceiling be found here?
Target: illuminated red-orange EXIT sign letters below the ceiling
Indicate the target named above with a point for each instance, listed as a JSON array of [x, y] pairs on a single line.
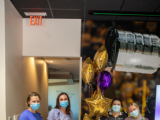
[[35, 20]]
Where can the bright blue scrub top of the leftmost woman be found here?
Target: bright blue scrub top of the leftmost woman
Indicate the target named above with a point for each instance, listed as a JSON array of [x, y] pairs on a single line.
[[27, 115]]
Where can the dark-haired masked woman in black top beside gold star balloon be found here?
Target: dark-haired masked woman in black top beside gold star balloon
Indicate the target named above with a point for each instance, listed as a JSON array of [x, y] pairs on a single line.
[[115, 113]]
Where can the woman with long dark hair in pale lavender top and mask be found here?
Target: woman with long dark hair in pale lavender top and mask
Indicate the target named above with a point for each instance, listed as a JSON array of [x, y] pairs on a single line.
[[62, 110]]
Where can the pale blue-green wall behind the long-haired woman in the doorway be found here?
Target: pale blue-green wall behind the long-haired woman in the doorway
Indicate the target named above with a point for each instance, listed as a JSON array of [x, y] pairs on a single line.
[[71, 90]]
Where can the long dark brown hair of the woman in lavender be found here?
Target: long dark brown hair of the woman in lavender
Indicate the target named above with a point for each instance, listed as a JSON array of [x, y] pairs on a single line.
[[58, 104]]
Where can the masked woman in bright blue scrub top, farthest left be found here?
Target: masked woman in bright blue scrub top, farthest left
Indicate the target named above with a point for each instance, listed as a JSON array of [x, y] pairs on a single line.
[[33, 104]]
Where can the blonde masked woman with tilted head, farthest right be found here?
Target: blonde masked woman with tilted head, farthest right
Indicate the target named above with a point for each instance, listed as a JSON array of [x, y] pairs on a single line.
[[133, 109]]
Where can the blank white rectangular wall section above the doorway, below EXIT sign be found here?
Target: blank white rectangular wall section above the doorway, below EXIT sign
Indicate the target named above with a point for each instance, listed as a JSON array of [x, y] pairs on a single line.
[[58, 38]]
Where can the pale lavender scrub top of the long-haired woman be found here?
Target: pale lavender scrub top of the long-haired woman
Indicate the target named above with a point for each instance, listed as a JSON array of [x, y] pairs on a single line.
[[57, 114]]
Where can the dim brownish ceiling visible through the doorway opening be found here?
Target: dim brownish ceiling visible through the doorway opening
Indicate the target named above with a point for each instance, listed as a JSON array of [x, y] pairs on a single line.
[[64, 66]]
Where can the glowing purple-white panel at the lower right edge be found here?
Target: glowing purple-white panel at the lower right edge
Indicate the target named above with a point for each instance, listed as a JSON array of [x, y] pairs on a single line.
[[157, 109]]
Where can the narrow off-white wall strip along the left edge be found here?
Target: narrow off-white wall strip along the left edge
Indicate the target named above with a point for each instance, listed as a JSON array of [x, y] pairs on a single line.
[[2, 61]]
